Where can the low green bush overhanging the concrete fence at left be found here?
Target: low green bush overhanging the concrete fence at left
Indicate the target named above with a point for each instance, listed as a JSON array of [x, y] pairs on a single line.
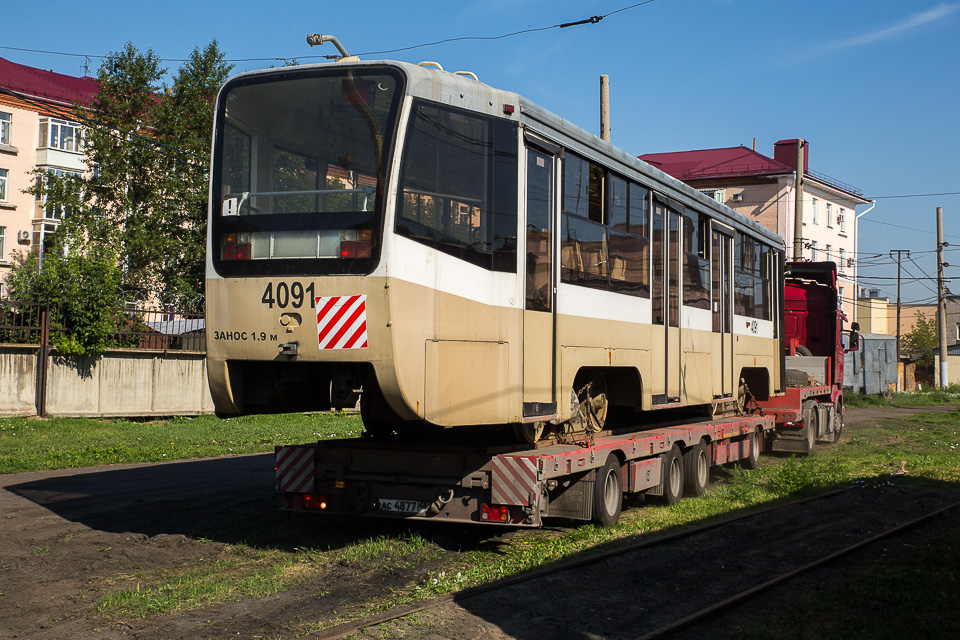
[[83, 291]]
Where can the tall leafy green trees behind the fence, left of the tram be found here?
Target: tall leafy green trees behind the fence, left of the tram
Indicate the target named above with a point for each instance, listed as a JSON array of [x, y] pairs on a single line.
[[146, 202]]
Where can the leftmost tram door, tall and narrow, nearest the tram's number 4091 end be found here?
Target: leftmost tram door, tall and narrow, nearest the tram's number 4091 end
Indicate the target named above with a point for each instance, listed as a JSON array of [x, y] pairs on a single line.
[[539, 311]]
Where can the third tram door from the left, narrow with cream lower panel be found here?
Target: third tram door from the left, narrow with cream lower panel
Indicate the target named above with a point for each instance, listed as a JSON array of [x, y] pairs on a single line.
[[721, 267]]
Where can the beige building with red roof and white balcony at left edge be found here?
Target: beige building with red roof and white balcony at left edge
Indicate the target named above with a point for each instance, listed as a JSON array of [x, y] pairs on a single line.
[[38, 129]]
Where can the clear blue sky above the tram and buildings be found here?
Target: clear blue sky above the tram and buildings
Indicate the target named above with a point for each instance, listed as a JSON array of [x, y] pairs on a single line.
[[872, 85]]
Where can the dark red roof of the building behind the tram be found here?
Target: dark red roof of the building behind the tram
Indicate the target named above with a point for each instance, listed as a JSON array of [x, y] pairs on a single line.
[[714, 163]]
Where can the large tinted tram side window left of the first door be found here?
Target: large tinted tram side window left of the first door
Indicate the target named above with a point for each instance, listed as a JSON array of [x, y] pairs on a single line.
[[459, 185]]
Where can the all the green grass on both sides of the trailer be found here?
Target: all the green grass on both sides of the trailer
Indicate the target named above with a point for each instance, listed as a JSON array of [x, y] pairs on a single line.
[[281, 551]]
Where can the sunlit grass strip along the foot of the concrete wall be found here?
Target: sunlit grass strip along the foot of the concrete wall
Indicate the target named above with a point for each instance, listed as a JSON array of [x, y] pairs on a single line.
[[61, 443]]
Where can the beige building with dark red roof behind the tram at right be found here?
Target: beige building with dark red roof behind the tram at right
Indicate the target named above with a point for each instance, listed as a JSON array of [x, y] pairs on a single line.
[[764, 189]]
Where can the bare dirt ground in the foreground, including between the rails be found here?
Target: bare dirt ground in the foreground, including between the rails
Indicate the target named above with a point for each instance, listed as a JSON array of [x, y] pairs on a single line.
[[66, 537]]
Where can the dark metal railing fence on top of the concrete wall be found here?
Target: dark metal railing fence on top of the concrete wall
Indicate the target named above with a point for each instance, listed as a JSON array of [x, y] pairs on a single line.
[[134, 327]]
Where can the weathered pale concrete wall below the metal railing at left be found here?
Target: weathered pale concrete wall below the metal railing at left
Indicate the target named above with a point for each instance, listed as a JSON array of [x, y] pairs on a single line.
[[123, 382]]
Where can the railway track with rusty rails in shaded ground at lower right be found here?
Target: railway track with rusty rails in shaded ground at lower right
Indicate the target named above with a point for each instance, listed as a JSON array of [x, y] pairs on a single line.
[[816, 554]]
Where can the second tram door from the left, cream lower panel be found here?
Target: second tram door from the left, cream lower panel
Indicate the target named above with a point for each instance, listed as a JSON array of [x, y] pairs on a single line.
[[667, 245]]
